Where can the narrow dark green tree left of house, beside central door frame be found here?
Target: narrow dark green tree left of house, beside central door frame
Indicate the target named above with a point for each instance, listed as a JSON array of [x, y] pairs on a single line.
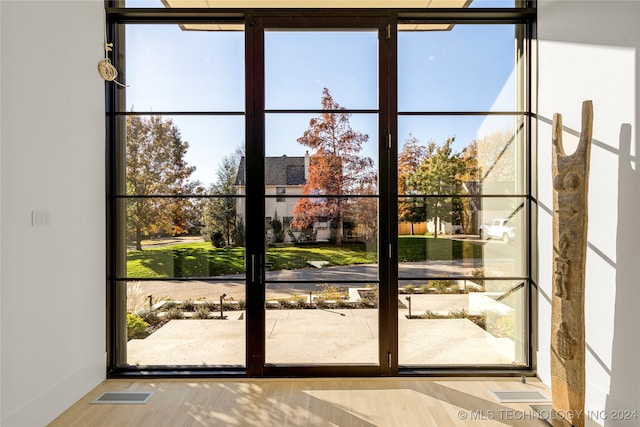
[[220, 214]]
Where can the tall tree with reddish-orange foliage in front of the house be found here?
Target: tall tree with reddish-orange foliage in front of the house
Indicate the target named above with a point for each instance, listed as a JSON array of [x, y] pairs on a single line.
[[336, 167]]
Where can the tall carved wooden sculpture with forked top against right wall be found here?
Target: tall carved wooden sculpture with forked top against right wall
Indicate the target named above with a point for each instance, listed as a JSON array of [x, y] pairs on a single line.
[[570, 184]]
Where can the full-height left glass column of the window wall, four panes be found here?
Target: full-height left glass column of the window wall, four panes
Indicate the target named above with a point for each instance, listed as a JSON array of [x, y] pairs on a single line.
[[182, 198]]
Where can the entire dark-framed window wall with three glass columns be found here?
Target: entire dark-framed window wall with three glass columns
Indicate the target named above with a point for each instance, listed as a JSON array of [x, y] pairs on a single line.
[[336, 246]]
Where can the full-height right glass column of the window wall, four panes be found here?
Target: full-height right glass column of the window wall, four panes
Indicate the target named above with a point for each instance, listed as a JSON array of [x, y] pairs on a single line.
[[462, 205]]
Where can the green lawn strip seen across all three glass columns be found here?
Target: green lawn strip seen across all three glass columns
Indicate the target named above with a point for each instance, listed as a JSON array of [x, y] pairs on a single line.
[[200, 259]]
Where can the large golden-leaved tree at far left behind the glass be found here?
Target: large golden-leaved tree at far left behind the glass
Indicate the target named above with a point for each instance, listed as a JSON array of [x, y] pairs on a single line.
[[156, 166]]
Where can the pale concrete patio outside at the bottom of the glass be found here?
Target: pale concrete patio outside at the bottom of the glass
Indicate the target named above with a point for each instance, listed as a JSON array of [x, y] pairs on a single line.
[[315, 336]]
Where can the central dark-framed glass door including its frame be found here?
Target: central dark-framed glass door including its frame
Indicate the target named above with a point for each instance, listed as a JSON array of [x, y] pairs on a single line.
[[315, 189]]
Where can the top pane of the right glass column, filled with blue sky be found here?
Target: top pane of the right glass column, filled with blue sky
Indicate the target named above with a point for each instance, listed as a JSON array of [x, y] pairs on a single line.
[[469, 68]]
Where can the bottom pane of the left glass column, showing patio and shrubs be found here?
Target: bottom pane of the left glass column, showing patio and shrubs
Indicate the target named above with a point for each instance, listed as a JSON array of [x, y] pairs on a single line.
[[186, 323]]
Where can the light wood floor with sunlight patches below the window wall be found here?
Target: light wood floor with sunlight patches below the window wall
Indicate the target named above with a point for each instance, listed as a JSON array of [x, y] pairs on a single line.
[[310, 402]]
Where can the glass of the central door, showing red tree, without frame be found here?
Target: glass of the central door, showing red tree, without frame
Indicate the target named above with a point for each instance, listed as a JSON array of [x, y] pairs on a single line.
[[321, 198]]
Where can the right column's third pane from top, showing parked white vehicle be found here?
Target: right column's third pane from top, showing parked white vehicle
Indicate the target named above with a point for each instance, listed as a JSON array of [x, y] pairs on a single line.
[[453, 237]]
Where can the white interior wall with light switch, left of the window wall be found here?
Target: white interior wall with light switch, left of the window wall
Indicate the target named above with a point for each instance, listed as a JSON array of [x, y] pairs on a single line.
[[52, 159]]
